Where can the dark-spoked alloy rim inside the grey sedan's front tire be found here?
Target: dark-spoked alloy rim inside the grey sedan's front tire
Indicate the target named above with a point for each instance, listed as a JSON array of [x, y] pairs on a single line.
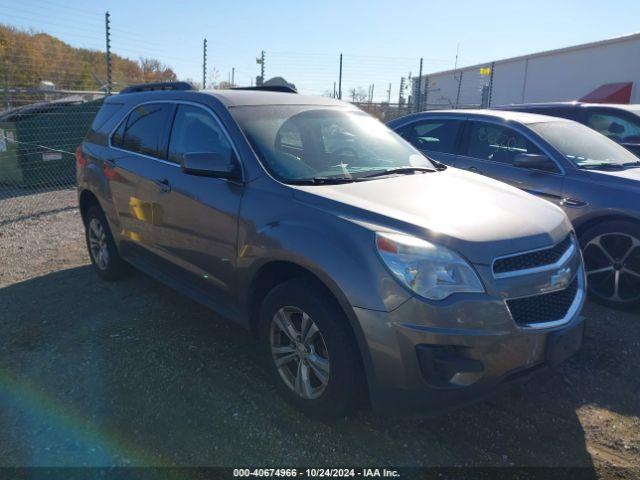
[[612, 262]]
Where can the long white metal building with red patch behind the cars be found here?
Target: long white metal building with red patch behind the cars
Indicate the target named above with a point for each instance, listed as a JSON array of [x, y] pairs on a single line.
[[607, 70]]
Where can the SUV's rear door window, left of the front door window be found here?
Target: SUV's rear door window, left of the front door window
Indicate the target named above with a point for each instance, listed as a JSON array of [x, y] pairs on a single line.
[[143, 130]]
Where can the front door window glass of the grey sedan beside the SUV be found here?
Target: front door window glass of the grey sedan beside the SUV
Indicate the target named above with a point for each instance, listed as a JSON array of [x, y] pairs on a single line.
[[497, 143]]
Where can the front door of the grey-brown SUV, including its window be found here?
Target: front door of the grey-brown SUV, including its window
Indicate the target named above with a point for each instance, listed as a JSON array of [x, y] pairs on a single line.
[[197, 230]]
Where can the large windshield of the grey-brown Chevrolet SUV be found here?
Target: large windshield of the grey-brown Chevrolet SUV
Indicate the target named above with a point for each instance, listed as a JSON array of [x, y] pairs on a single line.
[[298, 143]]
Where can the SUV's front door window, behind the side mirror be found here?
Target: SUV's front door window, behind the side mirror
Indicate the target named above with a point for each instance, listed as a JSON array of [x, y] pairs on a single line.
[[195, 130]]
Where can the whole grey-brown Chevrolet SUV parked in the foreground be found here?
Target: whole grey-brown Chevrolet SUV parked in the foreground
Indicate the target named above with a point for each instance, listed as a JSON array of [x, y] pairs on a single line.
[[368, 271]]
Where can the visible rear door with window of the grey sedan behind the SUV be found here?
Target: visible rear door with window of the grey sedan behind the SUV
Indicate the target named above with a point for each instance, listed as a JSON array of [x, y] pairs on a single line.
[[435, 137]]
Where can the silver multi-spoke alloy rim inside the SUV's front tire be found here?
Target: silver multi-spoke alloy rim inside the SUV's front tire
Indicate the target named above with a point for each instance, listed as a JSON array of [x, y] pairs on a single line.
[[299, 352]]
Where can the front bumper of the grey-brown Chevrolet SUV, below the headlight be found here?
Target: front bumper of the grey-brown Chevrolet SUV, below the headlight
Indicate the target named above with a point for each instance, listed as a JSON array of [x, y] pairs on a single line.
[[431, 356]]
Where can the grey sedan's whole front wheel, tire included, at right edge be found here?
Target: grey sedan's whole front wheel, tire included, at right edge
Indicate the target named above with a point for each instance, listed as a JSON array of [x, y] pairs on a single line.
[[611, 252]]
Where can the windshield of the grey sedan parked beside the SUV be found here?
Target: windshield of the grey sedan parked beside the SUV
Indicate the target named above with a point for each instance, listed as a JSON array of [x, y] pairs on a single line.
[[583, 146]]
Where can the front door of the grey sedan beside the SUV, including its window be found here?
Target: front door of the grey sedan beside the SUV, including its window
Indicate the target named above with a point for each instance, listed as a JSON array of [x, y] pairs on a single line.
[[490, 148]]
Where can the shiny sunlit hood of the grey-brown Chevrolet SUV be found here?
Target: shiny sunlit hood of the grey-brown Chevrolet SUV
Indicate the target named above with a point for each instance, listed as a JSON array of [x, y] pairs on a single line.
[[479, 217]]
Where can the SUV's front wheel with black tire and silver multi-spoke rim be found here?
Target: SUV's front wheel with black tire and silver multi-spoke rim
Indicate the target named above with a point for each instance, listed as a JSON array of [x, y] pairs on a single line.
[[318, 371]]
